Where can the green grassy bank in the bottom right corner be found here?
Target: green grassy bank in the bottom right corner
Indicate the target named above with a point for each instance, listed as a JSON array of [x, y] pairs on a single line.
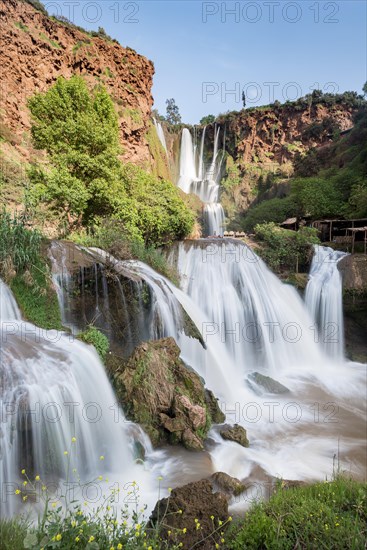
[[320, 516]]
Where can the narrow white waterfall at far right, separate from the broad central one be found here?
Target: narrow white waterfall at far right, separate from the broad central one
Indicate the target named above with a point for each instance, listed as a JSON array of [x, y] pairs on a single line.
[[324, 299]]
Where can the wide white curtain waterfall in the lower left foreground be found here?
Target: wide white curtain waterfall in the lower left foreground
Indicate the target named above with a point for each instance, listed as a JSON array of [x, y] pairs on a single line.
[[55, 388]]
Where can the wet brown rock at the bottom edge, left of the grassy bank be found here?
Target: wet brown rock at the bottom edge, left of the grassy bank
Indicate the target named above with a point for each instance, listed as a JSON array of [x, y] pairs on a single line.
[[188, 506]]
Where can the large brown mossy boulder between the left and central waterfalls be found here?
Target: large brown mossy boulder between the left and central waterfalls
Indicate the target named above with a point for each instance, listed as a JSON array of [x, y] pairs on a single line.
[[166, 398]]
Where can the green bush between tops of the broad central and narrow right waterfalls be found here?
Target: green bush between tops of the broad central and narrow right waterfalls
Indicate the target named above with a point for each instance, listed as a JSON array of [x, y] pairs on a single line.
[[285, 249]]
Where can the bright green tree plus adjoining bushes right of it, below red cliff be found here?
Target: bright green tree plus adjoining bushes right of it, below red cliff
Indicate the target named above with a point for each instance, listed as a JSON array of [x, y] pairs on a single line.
[[85, 180]]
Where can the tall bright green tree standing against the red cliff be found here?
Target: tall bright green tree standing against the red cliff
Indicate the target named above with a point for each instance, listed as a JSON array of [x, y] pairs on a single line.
[[79, 131]]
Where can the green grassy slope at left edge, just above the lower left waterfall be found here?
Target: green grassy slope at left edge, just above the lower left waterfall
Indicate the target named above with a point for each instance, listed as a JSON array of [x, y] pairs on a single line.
[[24, 268]]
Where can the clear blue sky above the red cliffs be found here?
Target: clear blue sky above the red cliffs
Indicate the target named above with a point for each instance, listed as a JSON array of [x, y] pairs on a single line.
[[206, 53]]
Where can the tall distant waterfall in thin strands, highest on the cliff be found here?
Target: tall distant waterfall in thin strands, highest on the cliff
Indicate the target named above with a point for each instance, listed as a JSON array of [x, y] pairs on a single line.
[[204, 182]]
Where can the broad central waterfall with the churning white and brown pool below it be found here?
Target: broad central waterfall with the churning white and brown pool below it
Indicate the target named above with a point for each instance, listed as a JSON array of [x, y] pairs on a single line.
[[257, 323]]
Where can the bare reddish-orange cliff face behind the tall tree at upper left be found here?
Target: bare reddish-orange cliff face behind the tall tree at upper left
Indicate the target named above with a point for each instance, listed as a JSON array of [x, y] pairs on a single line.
[[36, 50]]
